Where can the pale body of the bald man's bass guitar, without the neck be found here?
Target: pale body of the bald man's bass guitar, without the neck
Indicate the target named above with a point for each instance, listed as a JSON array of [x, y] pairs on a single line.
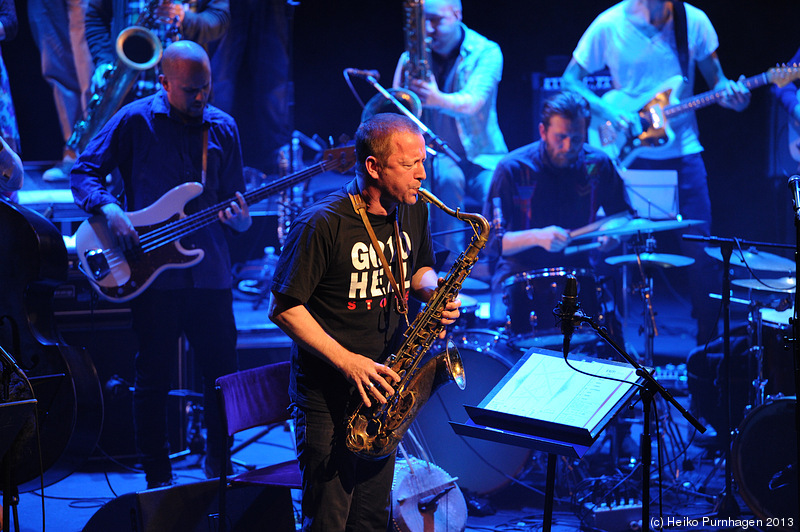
[[127, 275]]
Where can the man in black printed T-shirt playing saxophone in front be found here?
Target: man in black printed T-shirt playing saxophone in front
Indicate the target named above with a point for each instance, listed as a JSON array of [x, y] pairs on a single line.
[[343, 304]]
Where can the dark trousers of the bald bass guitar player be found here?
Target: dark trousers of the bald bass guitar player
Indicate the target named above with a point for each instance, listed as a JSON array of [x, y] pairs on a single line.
[[159, 318]]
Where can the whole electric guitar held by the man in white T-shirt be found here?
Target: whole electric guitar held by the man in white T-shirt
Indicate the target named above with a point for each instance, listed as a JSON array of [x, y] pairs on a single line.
[[653, 131]]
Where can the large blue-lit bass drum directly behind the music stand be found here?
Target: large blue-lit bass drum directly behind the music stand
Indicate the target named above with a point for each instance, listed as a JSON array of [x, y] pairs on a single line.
[[480, 466]]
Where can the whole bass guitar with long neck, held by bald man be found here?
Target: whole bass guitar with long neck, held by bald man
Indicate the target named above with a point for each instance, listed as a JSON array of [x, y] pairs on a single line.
[[120, 276]]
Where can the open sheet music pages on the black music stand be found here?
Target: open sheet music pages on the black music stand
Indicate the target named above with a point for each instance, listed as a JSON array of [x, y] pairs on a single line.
[[547, 389]]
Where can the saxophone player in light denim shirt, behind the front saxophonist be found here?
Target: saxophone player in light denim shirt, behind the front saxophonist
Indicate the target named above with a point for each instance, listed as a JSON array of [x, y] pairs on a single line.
[[459, 99]]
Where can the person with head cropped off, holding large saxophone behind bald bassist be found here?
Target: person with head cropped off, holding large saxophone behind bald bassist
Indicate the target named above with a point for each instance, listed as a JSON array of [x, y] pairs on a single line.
[[105, 19]]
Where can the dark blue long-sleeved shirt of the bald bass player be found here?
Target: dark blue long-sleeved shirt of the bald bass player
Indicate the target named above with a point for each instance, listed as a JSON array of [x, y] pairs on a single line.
[[155, 151]]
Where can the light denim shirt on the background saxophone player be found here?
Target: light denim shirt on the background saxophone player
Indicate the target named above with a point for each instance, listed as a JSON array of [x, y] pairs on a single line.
[[473, 91]]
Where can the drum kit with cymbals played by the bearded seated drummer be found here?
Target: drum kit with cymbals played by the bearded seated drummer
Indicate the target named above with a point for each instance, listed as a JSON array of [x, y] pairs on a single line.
[[483, 467]]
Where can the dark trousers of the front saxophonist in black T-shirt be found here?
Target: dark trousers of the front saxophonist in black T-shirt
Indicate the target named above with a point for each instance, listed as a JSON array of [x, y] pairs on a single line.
[[340, 490]]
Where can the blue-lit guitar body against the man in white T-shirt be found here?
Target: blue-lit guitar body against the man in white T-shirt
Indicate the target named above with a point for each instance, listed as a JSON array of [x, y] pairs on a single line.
[[624, 145]]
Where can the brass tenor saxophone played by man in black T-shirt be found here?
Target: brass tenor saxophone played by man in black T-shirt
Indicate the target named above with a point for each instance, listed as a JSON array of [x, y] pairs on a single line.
[[374, 432]]
